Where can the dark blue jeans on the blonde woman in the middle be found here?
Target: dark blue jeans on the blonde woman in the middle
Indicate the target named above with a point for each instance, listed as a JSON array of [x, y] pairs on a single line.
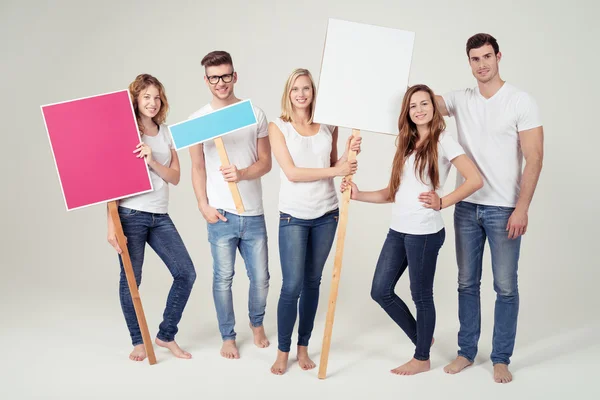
[[304, 246]]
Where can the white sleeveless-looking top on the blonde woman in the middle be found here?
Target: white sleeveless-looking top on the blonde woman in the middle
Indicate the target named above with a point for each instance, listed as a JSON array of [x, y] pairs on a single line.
[[307, 200]]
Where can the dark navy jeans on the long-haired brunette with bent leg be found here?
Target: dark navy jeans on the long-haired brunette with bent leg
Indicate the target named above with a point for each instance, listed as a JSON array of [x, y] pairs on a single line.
[[419, 253]]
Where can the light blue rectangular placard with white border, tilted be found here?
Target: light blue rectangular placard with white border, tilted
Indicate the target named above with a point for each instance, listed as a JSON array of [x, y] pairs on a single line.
[[217, 123]]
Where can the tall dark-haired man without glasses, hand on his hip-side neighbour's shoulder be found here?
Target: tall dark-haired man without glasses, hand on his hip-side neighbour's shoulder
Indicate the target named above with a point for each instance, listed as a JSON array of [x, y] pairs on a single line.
[[498, 125]]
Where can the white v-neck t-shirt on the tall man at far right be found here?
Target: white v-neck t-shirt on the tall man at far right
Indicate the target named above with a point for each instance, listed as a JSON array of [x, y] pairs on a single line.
[[488, 130]]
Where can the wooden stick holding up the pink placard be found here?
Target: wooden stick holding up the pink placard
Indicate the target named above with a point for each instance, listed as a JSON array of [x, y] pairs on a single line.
[[135, 294]]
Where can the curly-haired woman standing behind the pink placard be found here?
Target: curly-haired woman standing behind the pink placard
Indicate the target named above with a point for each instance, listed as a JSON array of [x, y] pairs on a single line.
[[145, 219]]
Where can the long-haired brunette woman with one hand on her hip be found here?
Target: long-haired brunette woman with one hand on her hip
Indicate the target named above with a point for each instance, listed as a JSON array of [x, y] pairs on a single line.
[[424, 155]]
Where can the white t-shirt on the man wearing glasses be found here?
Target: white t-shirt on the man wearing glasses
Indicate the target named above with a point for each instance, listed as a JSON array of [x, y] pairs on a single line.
[[242, 150]]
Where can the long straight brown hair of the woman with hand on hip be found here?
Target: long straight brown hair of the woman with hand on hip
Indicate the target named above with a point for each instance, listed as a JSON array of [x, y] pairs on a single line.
[[426, 157]]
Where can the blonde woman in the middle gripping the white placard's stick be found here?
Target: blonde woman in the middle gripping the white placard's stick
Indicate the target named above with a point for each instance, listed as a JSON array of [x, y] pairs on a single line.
[[308, 157]]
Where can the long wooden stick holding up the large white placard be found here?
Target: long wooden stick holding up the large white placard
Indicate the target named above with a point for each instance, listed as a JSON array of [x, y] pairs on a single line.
[[337, 269]]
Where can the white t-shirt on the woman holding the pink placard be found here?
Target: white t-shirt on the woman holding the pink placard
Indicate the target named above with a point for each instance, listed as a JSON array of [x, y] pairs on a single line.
[[156, 201]]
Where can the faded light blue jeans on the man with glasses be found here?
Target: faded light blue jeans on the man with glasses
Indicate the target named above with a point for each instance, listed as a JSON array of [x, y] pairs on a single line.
[[249, 235]]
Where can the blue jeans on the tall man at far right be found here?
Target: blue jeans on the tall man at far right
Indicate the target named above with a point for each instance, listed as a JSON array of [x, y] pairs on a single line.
[[474, 224]]
